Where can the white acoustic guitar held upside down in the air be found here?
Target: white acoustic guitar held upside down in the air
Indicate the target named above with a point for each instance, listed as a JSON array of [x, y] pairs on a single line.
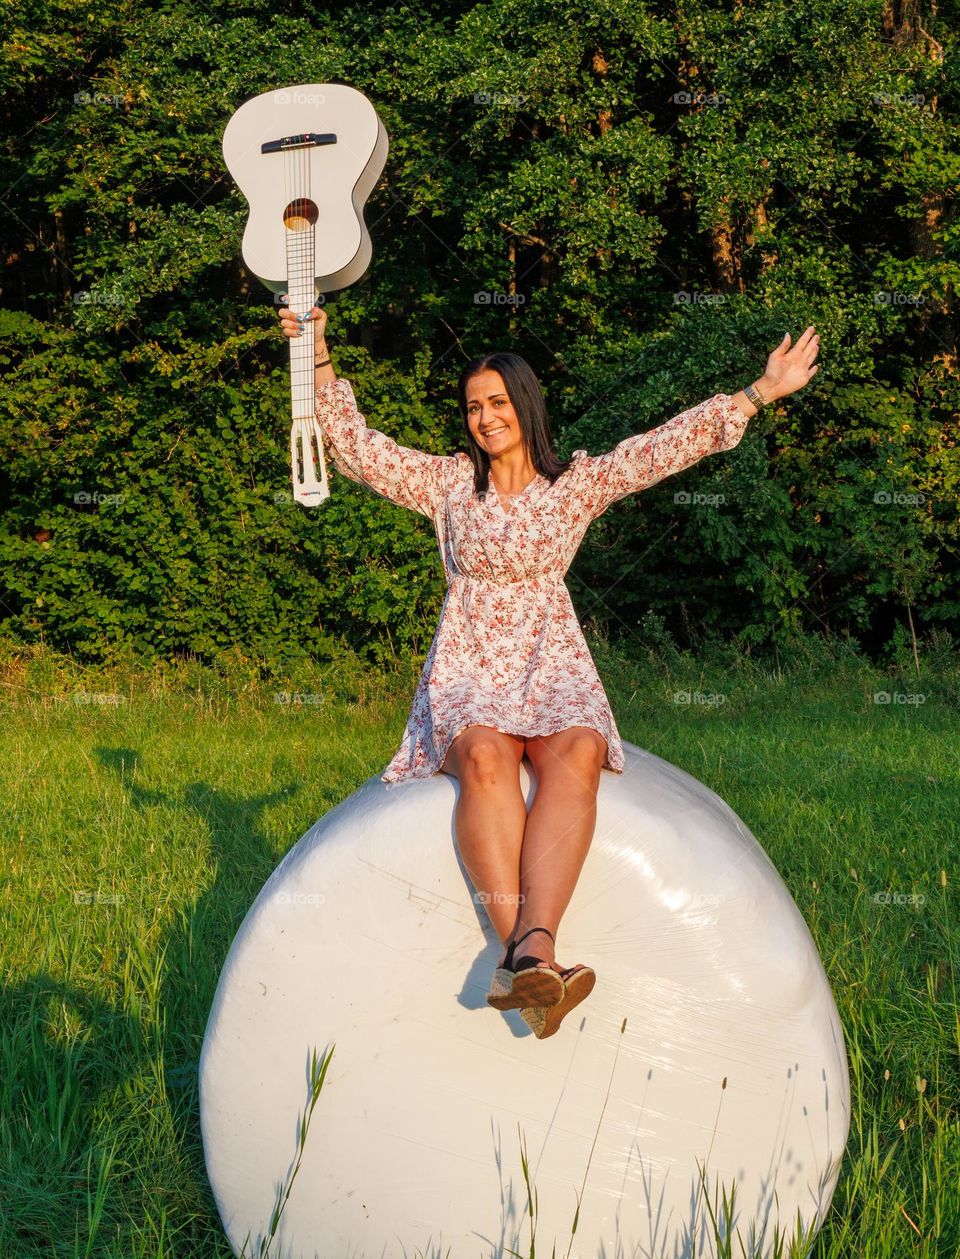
[[306, 159]]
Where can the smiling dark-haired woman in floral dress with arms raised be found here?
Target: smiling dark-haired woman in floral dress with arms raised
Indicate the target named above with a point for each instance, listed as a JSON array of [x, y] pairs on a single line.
[[509, 673]]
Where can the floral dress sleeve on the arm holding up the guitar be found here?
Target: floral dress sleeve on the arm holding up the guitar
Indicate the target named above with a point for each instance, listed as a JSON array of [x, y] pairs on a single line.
[[412, 479]]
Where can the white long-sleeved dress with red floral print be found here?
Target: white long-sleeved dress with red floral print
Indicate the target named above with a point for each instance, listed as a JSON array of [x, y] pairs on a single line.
[[509, 652]]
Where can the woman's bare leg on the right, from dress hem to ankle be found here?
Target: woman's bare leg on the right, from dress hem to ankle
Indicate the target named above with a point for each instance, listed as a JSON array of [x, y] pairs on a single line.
[[559, 829]]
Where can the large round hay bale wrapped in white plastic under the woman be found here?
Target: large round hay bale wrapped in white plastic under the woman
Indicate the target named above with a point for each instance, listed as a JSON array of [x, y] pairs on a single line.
[[368, 937]]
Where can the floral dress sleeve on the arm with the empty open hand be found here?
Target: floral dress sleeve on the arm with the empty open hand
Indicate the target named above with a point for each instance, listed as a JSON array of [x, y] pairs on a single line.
[[642, 461]]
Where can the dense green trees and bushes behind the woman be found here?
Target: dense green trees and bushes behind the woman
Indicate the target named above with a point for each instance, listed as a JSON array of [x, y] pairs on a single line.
[[661, 197]]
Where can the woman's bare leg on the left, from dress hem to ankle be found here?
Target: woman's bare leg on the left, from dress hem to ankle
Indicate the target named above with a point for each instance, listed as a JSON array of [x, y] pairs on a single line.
[[491, 815]]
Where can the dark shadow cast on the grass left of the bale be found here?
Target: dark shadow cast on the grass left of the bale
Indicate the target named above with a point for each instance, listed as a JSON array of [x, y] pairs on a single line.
[[66, 1053]]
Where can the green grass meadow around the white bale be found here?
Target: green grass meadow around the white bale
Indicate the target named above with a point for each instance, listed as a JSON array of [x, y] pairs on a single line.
[[138, 833]]
